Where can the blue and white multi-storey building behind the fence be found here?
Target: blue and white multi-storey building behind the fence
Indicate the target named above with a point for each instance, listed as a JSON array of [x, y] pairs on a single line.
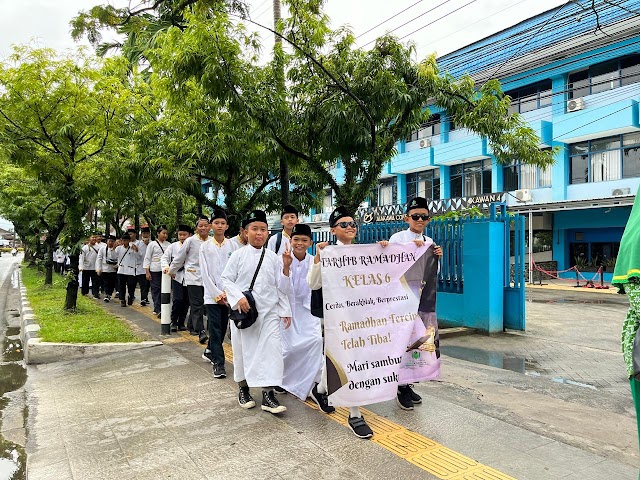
[[579, 90]]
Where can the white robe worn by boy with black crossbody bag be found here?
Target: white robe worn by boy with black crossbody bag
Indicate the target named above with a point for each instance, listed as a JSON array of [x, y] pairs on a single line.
[[257, 350]]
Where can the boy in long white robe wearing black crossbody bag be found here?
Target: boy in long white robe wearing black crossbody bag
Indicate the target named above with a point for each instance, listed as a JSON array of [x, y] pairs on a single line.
[[257, 350]]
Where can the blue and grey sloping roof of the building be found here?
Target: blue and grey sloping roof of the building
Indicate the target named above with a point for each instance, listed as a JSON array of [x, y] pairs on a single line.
[[555, 34]]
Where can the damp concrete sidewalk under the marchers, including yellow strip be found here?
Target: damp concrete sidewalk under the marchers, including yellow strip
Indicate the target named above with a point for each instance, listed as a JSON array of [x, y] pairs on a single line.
[[158, 413]]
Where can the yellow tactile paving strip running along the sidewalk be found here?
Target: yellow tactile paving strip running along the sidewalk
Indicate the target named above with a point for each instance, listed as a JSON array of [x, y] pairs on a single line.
[[430, 456]]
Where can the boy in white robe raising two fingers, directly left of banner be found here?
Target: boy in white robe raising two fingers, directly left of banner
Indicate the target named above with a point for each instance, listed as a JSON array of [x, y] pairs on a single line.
[[302, 343]]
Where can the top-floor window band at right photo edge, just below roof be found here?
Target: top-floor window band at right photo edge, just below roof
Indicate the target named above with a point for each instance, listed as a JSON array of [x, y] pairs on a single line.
[[605, 76]]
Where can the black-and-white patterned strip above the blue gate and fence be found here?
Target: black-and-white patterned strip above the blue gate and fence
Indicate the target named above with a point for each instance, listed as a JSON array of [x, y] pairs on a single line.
[[395, 213]]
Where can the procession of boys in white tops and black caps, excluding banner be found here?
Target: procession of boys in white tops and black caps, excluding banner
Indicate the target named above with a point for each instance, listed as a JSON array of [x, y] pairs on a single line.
[[283, 350]]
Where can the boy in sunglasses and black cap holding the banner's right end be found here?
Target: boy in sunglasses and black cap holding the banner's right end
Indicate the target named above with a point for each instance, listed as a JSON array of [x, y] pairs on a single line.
[[417, 216]]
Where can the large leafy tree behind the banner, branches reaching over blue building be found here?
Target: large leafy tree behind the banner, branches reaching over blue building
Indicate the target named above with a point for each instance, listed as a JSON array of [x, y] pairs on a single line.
[[338, 102]]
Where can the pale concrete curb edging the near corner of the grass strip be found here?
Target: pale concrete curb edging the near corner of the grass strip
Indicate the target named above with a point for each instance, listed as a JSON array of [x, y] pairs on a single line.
[[37, 351]]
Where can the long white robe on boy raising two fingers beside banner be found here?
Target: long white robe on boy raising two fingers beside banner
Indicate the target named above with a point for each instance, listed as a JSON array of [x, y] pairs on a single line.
[[302, 344]]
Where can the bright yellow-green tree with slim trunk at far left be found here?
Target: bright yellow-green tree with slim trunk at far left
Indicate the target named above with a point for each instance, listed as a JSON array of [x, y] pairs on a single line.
[[57, 116]]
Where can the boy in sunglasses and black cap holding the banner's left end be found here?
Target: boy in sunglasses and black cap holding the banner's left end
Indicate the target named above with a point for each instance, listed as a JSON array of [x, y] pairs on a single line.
[[345, 229]]
